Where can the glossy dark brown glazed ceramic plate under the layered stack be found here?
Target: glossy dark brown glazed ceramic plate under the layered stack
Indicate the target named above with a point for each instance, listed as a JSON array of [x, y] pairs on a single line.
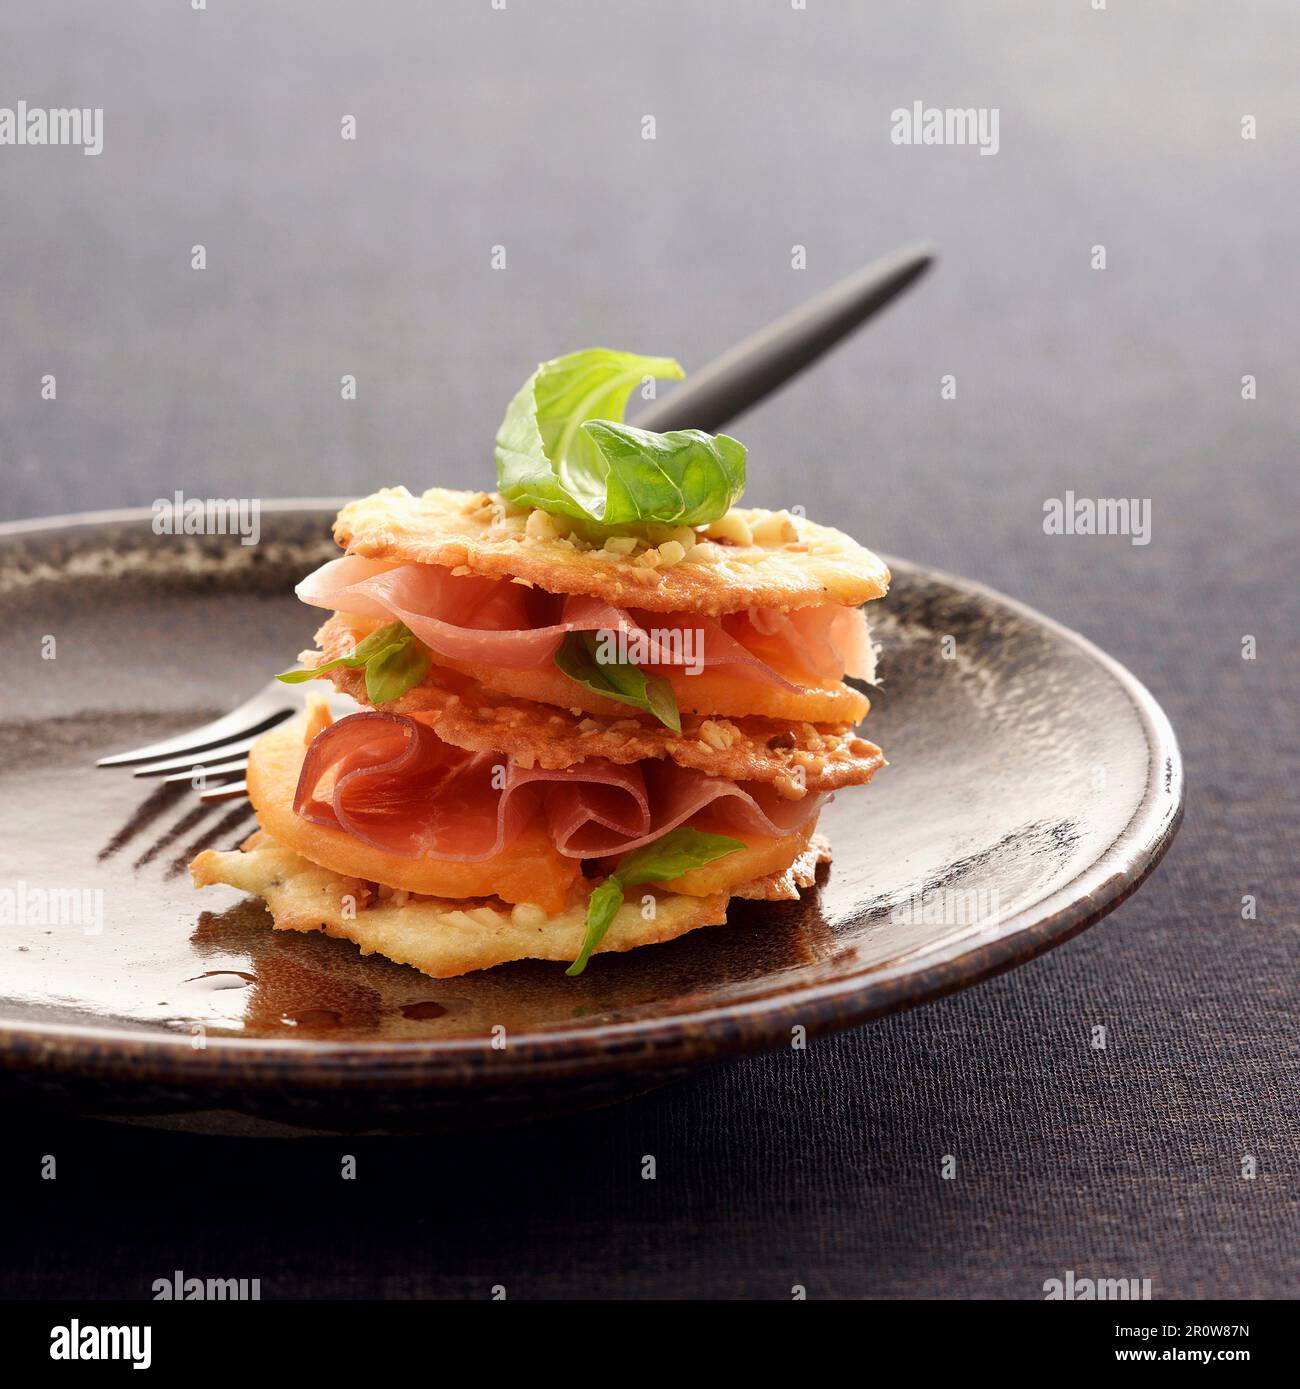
[[1033, 785]]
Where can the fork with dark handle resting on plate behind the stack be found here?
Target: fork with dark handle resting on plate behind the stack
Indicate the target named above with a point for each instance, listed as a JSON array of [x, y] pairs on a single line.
[[722, 391]]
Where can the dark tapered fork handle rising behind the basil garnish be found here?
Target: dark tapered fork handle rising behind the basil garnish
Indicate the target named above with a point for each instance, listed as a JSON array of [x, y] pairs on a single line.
[[773, 356]]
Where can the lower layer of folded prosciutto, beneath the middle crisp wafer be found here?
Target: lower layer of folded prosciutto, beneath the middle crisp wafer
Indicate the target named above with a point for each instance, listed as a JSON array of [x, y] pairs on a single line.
[[392, 784]]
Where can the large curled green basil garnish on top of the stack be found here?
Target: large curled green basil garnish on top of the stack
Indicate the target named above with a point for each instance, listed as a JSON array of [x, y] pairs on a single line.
[[563, 448]]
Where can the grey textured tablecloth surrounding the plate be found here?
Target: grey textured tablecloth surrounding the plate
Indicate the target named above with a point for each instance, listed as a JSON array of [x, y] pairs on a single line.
[[523, 128]]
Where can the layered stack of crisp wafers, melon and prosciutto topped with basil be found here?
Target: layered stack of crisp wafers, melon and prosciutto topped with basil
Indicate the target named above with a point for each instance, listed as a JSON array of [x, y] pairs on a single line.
[[578, 735]]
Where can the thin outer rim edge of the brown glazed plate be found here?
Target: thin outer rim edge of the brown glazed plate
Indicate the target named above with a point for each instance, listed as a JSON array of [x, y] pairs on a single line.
[[684, 1041]]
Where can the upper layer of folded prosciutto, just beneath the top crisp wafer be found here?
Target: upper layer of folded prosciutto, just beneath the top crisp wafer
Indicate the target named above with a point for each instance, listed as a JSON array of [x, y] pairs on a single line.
[[487, 622]]
